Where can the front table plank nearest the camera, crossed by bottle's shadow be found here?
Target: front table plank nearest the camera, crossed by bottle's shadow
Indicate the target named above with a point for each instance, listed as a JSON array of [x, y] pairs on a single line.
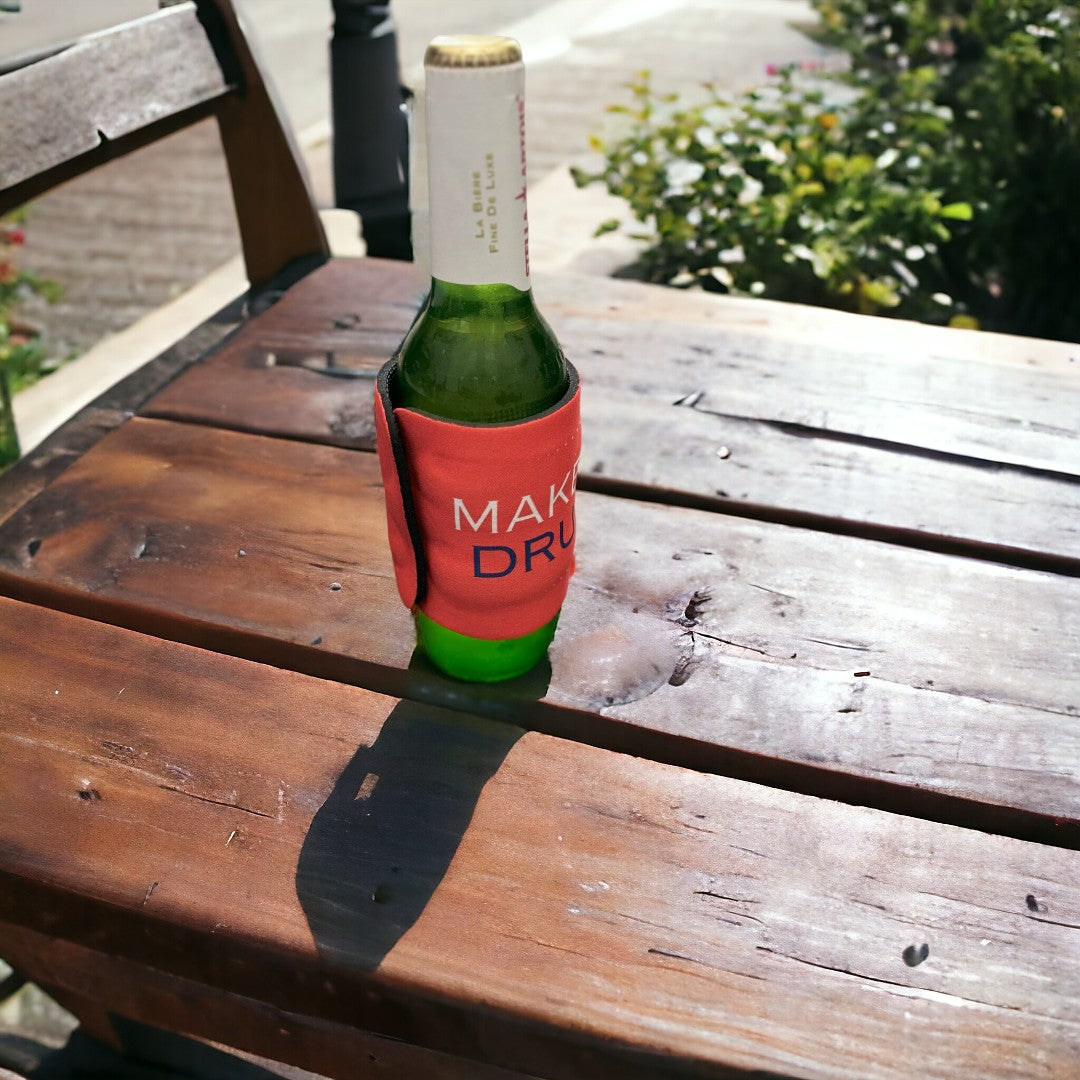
[[506, 897]]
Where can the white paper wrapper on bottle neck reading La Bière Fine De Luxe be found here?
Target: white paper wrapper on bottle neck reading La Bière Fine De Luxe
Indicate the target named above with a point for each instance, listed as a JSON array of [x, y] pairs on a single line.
[[476, 120]]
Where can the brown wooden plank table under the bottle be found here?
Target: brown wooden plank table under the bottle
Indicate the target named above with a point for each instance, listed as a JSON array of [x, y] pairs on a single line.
[[829, 828]]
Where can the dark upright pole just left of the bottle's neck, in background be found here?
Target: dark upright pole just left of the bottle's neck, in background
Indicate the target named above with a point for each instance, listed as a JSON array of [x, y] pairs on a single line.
[[371, 126]]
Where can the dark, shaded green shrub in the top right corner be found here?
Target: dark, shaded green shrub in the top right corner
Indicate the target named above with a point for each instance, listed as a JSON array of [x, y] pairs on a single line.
[[1009, 72]]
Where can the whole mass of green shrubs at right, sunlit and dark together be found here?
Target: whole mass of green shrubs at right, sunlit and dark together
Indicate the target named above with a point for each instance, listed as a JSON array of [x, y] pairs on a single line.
[[939, 184]]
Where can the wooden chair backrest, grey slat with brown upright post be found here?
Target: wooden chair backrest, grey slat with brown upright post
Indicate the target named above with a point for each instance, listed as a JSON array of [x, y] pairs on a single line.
[[114, 92]]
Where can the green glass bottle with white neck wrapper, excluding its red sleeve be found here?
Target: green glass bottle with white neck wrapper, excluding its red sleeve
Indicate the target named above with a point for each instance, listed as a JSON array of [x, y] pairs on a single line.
[[480, 352]]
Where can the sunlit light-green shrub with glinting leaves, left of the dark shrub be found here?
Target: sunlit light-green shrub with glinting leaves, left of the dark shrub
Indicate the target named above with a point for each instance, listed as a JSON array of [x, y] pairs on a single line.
[[779, 196]]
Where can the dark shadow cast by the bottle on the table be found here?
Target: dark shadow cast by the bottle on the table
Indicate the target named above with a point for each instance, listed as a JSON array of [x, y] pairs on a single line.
[[382, 843]]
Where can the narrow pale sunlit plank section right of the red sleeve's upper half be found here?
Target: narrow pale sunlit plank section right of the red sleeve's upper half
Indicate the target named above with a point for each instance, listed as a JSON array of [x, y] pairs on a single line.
[[777, 472]]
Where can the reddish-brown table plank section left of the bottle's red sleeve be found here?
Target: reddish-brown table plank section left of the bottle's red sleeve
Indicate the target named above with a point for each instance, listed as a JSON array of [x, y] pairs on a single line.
[[163, 523]]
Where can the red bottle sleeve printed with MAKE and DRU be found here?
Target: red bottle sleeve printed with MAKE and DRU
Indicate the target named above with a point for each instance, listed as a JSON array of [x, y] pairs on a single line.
[[481, 517]]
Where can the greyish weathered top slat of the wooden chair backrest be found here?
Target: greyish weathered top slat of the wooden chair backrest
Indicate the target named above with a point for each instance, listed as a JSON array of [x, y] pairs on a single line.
[[69, 106]]
